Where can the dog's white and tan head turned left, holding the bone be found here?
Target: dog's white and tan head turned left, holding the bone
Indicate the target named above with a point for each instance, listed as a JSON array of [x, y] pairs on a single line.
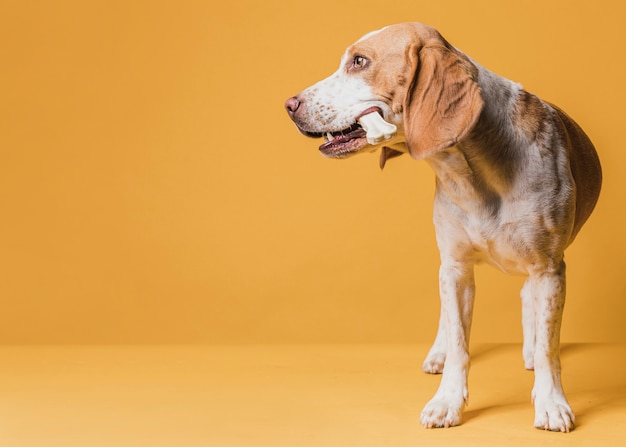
[[407, 73]]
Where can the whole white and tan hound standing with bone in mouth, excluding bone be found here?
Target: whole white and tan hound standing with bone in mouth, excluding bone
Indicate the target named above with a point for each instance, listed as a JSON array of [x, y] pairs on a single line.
[[516, 178]]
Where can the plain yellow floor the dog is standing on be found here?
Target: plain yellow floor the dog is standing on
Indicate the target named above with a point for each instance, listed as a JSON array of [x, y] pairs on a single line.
[[295, 396]]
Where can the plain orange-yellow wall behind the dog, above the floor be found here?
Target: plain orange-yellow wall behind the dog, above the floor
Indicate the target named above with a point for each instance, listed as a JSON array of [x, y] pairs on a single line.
[[153, 189]]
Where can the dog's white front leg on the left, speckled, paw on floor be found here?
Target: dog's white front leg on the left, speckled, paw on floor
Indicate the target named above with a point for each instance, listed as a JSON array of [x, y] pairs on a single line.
[[456, 288]]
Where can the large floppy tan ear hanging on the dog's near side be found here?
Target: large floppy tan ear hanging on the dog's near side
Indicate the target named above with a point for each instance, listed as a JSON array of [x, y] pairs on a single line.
[[443, 101]]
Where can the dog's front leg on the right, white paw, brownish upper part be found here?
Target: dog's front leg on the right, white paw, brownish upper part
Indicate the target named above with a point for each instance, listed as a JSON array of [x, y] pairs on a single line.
[[552, 411]]
